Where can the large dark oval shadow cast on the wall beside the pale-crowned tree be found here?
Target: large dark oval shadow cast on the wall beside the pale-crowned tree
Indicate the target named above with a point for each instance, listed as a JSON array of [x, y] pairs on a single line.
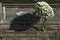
[[23, 22]]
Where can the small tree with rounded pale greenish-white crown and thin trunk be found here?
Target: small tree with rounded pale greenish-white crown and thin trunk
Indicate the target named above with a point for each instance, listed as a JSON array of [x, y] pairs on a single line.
[[44, 10]]
